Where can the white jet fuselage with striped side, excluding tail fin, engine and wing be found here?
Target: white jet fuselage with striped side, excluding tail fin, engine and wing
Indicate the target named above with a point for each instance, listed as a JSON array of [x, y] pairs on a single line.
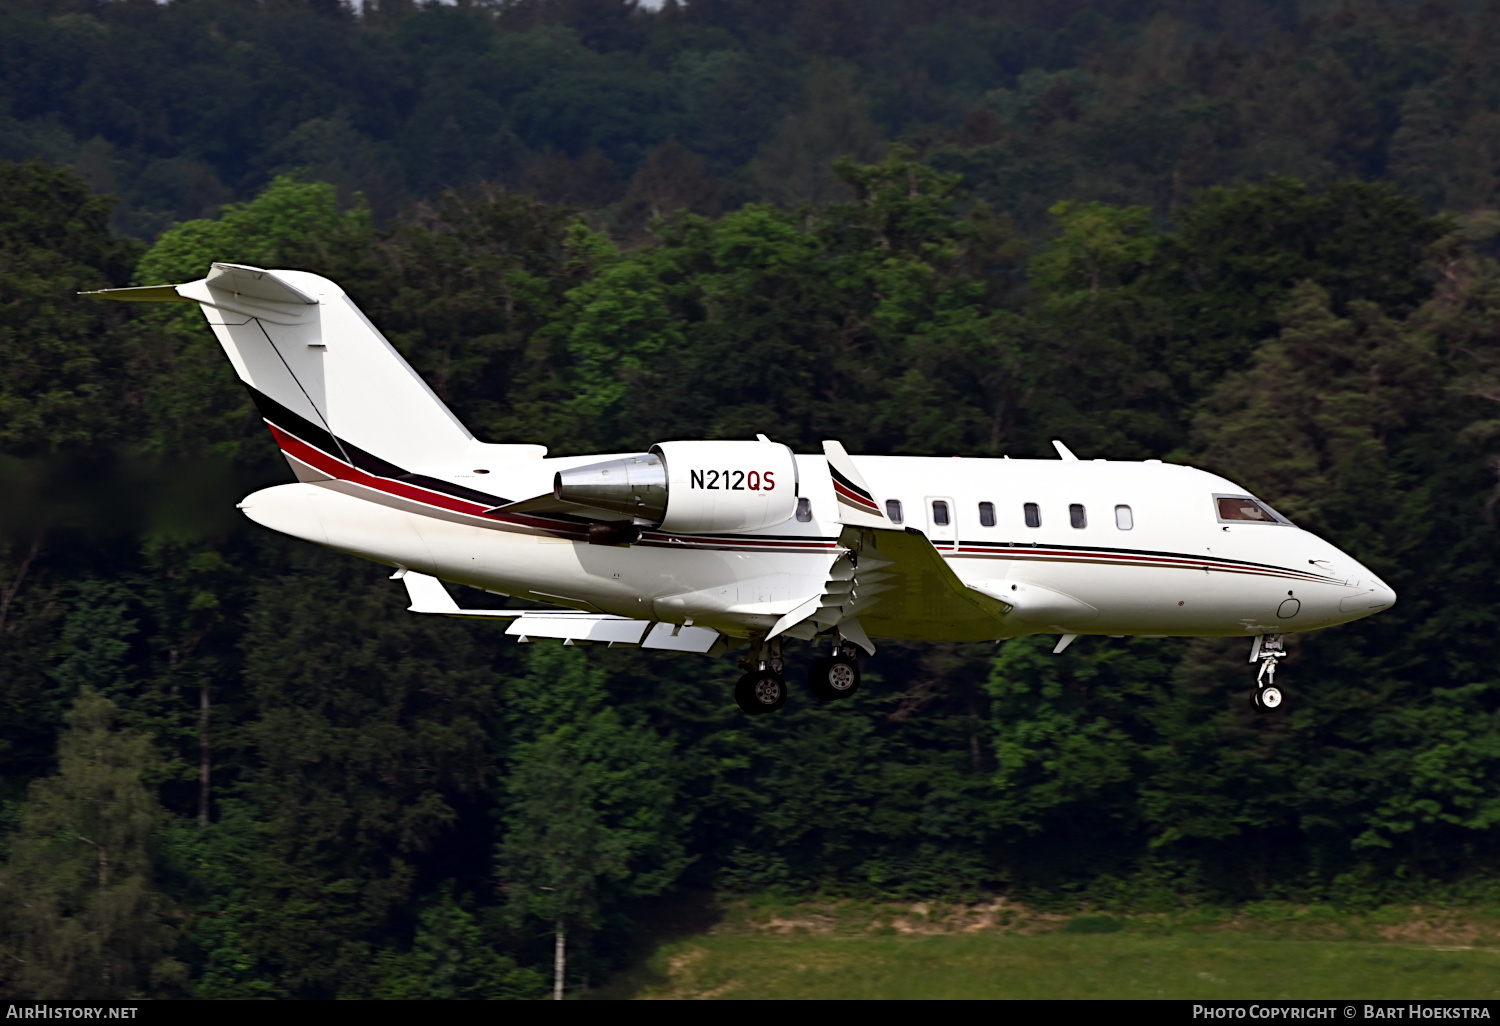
[[1108, 548]]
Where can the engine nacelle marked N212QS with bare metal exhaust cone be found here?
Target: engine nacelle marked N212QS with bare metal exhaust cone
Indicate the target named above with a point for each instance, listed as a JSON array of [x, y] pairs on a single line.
[[692, 487]]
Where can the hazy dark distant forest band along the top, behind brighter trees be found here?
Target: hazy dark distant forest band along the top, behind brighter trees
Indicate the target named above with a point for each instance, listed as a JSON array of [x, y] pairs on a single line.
[[706, 104]]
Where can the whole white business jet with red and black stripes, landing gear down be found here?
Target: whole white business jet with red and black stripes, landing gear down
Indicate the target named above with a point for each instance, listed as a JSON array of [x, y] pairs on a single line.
[[704, 547]]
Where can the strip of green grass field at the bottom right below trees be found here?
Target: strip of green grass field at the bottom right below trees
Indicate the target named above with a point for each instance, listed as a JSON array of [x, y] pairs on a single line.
[[1129, 961]]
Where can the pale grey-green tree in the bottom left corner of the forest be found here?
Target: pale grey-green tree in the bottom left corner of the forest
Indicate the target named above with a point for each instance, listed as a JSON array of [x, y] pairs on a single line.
[[83, 916]]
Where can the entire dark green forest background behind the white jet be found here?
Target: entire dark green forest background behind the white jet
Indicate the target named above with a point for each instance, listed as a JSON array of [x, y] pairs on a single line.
[[1255, 236]]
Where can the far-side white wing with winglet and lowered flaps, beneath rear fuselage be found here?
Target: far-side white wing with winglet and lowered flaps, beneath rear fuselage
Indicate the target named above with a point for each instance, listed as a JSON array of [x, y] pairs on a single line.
[[428, 596]]
